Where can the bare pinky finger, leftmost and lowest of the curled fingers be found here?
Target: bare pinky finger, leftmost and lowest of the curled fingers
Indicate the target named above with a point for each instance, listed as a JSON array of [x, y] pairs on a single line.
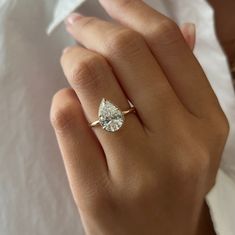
[[82, 154]]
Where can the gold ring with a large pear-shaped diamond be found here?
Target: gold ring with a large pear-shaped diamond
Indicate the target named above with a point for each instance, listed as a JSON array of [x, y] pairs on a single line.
[[111, 118]]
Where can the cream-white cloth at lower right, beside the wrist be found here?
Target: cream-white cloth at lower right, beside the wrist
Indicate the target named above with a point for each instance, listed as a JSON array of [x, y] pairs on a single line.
[[221, 202]]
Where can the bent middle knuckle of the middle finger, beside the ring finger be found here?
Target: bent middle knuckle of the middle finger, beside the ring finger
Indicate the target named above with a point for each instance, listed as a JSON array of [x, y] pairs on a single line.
[[124, 41]]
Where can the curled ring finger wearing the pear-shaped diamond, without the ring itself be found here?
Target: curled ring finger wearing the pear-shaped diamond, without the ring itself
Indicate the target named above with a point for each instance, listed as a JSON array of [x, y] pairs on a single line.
[[91, 77]]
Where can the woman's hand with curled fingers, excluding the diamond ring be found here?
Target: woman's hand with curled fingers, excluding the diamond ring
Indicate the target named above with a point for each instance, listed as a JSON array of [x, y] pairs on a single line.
[[151, 176]]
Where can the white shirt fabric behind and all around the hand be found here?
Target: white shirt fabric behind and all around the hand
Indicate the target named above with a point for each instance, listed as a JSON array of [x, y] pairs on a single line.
[[34, 193]]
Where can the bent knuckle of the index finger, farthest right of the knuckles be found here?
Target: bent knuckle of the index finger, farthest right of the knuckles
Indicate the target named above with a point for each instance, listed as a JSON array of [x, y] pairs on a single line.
[[165, 33]]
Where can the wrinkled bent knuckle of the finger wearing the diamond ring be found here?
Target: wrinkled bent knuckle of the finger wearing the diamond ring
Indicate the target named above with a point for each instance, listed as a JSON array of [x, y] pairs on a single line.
[[87, 73]]
